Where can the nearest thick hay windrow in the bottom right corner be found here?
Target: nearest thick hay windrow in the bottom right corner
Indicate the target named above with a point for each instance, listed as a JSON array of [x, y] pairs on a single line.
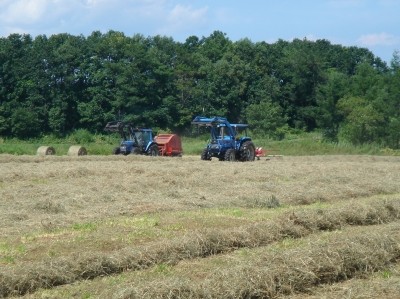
[[272, 273]]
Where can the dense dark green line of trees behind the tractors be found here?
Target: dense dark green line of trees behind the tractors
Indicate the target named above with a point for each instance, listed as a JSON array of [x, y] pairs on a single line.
[[61, 83]]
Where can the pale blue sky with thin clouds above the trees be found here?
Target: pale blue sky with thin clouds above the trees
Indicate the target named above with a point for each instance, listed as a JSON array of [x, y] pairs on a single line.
[[374, 24]]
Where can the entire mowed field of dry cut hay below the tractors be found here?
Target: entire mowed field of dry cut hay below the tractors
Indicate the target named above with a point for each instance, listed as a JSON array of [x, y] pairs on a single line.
[[159, 227]]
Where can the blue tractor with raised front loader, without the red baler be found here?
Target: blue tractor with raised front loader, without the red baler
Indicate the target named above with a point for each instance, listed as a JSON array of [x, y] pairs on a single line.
[[229, 142]]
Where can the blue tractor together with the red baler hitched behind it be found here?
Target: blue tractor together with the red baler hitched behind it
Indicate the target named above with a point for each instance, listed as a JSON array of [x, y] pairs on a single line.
[[142, 142]]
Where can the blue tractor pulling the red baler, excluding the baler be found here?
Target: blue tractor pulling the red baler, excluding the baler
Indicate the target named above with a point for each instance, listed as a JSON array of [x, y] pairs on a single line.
[[134, 140]]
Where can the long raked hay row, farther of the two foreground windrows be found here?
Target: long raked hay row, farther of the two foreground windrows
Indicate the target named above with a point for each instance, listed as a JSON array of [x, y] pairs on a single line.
[[21, 279]]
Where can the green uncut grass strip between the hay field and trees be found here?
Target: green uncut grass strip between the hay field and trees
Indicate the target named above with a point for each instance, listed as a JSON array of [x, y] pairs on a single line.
[[301, 144]]
